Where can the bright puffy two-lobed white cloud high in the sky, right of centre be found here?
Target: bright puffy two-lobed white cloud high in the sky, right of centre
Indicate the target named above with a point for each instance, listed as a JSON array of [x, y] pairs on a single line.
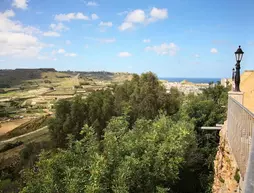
[[139, 16]]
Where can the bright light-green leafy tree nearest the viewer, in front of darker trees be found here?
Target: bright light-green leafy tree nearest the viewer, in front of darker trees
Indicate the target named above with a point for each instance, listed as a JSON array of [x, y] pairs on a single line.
[[146, 158]]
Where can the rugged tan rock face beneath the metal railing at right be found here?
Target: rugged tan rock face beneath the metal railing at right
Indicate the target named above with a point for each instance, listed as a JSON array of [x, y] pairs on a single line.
[[227, 176]]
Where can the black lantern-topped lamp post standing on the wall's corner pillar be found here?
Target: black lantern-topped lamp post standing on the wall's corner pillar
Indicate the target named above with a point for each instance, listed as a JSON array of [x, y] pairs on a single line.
[[238, 56]]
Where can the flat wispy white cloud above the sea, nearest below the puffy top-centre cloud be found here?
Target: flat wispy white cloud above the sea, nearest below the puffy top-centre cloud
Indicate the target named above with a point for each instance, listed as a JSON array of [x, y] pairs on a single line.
[[164, 49]]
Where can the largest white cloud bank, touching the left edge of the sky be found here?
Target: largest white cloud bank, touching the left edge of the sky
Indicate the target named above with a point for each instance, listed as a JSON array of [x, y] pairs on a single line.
[[17, 39]]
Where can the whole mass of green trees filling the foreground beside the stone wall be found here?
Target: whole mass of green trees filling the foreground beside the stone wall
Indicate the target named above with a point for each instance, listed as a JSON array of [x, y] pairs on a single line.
[[133, 137]]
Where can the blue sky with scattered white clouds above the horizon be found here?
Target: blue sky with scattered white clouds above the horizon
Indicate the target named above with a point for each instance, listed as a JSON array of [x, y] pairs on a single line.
[[172, 38]]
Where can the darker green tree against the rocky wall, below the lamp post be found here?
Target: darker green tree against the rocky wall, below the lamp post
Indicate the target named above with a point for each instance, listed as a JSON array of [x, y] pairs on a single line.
[[206, 109]]
